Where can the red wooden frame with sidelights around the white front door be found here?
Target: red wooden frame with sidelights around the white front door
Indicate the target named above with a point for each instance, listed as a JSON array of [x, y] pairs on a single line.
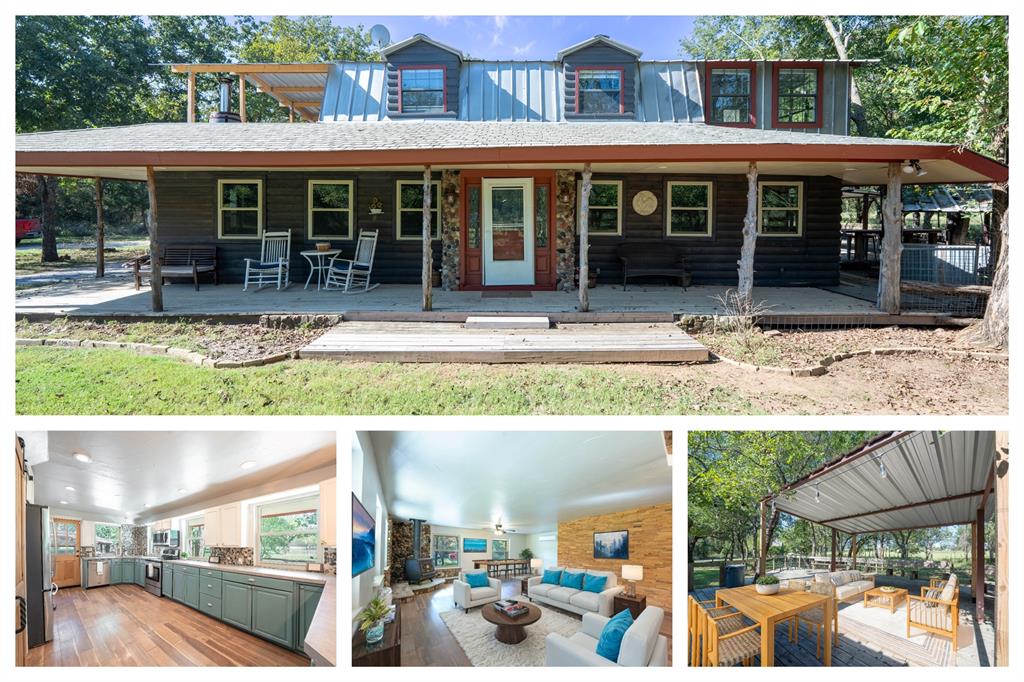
[[475, 178]]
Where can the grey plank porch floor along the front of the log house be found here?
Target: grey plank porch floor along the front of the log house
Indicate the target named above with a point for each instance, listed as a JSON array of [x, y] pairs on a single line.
[[402, 303]]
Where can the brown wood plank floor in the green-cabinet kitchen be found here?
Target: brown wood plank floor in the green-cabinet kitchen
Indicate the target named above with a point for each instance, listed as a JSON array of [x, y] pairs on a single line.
[[124, 625]]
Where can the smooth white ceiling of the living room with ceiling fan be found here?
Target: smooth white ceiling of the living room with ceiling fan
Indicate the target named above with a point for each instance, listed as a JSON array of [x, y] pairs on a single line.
[[530, 481]]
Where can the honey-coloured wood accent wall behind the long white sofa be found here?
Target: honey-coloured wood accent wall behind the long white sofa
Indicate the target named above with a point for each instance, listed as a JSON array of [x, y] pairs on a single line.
[[651, 547]]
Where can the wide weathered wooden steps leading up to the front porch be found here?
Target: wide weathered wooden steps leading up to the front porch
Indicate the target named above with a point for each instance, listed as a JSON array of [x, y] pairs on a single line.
[[451, 343]]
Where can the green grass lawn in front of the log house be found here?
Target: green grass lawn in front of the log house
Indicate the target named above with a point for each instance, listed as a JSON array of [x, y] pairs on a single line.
[[52, 381]]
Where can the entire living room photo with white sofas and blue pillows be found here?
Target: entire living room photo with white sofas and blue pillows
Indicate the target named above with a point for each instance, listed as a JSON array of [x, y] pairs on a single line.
[[532, 548]]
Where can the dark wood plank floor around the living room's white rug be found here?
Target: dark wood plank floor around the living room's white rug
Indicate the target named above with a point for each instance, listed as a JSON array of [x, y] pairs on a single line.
[[428, 642]]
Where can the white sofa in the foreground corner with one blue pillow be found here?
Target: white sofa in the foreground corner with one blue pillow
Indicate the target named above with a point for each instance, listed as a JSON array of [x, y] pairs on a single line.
[[643, 646]]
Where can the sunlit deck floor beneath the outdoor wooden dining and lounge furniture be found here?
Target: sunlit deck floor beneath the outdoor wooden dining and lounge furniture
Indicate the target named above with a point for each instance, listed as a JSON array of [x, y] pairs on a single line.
[[875, 637]]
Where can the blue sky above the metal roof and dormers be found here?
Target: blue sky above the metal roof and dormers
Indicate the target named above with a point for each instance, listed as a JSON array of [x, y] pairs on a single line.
[[536, 37]]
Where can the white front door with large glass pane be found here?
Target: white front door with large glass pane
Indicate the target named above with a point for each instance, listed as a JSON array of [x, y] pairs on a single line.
[[508, 232]]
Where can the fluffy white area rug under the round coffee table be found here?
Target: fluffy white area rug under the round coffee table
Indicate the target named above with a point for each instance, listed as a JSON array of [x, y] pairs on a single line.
[[477, 637]]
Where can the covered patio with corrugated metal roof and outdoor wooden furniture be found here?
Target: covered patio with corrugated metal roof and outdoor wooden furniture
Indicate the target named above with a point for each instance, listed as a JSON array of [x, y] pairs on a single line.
[[897, 482]]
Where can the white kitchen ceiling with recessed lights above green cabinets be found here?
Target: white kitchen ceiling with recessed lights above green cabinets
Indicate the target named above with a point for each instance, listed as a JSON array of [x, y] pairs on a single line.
[[133, 470]]
